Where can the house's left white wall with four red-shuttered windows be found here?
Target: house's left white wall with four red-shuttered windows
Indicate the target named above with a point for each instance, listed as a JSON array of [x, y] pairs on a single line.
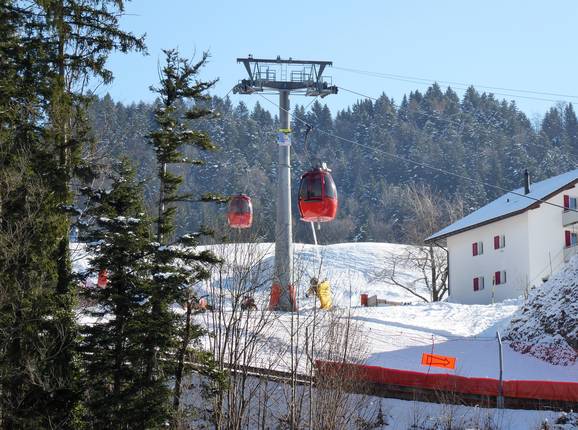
[[513, 258]]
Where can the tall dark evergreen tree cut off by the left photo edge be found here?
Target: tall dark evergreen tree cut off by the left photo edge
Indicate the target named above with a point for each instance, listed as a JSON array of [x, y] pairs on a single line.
[[33, 393]]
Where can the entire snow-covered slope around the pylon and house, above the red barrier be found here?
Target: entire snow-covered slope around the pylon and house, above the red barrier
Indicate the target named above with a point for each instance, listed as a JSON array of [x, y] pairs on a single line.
[[393, 336]]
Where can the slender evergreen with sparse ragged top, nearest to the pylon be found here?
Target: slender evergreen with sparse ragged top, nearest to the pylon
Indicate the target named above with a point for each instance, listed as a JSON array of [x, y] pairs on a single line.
[[177, 265]]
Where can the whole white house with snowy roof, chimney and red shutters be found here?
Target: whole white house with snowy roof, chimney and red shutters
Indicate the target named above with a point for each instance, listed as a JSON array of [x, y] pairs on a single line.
[[514, 243]]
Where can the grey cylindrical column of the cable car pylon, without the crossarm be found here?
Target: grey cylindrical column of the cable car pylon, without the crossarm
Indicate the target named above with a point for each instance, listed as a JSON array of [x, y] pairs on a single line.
[[283, 227]]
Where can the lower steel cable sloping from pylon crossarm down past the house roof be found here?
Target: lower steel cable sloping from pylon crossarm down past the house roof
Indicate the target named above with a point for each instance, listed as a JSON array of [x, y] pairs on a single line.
[[423, 165]]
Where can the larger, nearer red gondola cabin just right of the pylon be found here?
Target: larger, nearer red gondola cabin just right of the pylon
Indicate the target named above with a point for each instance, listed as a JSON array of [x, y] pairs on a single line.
[[317, 196]]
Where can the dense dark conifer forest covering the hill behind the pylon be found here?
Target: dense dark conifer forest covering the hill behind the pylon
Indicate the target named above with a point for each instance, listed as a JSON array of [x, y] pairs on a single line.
[[485, 141]]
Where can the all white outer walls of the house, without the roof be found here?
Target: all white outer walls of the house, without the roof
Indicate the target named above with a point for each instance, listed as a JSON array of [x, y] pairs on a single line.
[[535, 248]]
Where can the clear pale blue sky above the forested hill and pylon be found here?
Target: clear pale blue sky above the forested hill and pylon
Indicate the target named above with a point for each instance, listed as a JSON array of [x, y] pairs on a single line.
[[523, 45]]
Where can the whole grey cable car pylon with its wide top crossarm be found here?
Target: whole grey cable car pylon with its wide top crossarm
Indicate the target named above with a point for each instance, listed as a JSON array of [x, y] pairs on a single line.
[[285, 77]]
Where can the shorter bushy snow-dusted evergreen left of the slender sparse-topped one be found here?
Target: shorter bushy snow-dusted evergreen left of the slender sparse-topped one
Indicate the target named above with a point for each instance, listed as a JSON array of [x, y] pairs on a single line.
[[118, 396]]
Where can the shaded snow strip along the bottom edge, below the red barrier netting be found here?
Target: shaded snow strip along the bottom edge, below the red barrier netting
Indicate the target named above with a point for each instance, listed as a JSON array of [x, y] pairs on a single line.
[[395, 414]]
